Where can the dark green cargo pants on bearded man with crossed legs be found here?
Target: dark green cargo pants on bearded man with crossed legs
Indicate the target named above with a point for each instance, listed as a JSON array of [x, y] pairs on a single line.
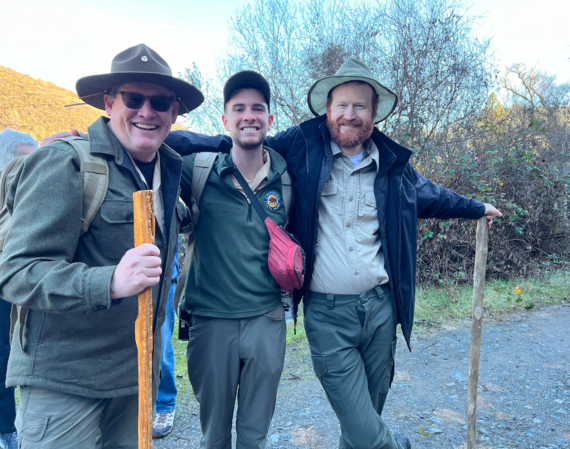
[[353, 343]]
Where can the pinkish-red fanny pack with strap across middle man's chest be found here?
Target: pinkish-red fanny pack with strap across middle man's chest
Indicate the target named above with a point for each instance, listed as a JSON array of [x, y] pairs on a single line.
[[286, 259]]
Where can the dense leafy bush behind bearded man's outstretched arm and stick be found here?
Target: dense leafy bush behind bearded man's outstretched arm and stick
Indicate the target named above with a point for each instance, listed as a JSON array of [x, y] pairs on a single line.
[[515, 159]]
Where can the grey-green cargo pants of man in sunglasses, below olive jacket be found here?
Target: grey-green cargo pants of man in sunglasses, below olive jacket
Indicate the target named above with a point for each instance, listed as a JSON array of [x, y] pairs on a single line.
[[50, 419]]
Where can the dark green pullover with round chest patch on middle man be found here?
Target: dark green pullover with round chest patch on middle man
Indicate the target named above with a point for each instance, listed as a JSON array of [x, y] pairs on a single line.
[[229, 276]]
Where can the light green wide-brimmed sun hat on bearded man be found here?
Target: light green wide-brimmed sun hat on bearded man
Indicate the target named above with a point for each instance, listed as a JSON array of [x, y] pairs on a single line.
[[351, 70]]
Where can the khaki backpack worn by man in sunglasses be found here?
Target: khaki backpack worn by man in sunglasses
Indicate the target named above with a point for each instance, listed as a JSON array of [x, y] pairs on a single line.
[[95, 174]]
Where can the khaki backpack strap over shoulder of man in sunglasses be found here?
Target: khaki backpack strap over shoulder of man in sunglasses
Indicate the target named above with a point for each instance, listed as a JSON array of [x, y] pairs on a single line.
[[95, 174]]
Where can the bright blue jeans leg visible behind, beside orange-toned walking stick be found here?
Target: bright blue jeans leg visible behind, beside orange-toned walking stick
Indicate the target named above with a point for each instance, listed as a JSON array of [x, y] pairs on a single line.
[[166, 399]]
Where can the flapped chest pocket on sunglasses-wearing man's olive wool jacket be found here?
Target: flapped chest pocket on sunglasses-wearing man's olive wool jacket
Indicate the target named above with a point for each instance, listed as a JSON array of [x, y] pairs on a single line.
[[117, 225]]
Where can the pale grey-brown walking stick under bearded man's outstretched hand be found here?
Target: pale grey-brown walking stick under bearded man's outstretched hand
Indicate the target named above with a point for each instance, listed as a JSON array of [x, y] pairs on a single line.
[[476, 328]]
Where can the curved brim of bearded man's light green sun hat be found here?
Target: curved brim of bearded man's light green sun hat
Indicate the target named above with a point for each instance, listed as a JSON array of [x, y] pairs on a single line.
[[318, 95]]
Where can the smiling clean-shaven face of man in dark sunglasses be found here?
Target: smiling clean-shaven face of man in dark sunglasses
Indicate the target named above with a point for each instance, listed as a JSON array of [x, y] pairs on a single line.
[[140, 131]]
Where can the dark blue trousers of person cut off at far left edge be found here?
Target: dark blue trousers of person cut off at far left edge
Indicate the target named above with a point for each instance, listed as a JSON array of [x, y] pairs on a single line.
[[7, 404]]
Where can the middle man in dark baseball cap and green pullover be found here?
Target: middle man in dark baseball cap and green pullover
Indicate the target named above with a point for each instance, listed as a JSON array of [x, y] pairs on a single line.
[[237, 328]]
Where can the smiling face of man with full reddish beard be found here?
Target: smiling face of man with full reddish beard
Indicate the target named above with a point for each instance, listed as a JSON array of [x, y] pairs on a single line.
[[351, 114]]
